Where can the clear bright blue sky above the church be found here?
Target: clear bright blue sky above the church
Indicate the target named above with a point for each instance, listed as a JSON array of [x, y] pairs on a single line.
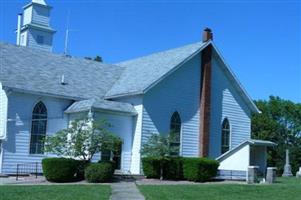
[[260, 40]]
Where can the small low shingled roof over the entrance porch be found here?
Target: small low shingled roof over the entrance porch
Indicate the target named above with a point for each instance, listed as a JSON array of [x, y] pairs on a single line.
[[100, 104]]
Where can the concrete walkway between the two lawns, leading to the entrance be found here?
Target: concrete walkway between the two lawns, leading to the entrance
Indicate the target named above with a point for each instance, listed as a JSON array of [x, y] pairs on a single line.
[[125, 191]]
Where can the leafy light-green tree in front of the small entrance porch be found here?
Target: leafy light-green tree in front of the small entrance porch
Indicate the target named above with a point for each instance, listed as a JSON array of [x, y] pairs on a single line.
[[82, 139]]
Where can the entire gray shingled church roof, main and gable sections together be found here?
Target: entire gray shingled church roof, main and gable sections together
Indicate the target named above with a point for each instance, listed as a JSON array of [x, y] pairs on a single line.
[[40, 71]]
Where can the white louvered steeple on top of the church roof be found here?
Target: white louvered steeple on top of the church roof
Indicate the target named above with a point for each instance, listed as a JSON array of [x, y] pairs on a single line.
[[35, 30]]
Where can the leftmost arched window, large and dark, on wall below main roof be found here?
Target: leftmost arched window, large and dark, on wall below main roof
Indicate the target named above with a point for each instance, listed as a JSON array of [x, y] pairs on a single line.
[[38, 128]]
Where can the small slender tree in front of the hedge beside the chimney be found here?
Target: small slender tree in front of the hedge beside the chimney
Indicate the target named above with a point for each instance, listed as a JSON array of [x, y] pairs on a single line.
[[158, 146]]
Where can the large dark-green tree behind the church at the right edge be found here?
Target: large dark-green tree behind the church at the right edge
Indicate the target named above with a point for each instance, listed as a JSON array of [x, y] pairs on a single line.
[[280, 122]]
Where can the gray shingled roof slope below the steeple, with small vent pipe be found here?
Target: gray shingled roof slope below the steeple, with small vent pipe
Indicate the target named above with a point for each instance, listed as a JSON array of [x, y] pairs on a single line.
[[41, 71]]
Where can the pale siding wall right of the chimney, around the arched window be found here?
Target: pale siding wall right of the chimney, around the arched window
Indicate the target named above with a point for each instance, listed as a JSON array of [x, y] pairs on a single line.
[[226, 102]]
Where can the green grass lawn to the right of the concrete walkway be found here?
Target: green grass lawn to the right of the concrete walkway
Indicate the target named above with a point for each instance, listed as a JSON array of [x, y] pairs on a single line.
[[284, 189]]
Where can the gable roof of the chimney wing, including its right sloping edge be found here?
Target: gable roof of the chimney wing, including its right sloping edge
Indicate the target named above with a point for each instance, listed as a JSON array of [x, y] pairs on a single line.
[[143, 73]]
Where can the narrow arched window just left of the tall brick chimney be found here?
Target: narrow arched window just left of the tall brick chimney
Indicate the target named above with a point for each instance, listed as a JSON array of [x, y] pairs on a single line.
[[175, 133]]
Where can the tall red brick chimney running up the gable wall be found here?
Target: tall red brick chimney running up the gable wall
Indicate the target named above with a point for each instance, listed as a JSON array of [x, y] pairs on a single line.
[[205, 95]]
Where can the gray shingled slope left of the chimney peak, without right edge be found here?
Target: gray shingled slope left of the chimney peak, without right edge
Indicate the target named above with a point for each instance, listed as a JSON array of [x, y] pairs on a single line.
[[143, 72]]
